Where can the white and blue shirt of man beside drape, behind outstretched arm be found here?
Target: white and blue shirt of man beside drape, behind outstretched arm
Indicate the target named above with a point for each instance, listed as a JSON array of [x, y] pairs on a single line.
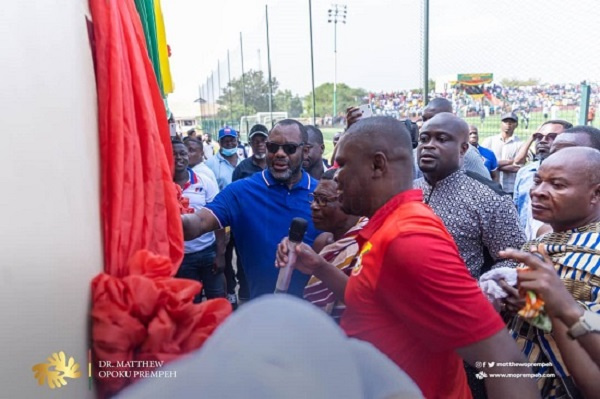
[[200, 190]]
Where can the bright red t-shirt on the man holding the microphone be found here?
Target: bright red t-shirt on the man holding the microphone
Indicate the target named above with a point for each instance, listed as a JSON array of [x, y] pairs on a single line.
[[411, 295]]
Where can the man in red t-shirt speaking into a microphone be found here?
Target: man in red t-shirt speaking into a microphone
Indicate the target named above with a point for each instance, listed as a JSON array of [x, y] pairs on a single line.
[[410, 294]]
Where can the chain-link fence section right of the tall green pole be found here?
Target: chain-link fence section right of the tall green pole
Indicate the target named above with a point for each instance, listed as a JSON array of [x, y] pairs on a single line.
[[538, 68]]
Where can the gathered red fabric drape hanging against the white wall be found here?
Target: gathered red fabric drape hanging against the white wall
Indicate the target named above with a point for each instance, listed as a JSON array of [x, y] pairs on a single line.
[[139, 311]]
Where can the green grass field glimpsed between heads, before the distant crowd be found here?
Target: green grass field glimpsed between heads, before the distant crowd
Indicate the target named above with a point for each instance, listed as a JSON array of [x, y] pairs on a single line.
[[490, 127]]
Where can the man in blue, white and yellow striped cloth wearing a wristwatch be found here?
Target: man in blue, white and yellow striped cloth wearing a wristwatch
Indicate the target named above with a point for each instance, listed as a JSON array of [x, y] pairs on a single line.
[[566, 195]]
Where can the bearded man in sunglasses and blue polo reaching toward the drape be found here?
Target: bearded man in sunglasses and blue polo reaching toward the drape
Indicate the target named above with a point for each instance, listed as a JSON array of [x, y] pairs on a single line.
[[260, 208]]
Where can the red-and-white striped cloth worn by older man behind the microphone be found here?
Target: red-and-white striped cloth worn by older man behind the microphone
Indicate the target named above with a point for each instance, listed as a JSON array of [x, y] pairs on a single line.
[[341, 254]]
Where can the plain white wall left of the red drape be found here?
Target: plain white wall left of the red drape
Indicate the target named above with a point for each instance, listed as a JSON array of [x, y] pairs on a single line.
[[50, 237]]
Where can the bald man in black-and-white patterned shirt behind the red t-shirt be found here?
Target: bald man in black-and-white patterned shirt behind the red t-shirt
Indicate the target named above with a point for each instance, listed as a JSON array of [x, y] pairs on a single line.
[[479, 219]]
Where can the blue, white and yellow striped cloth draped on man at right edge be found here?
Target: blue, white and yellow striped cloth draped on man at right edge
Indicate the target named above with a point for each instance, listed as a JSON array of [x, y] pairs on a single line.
[[576, 257]]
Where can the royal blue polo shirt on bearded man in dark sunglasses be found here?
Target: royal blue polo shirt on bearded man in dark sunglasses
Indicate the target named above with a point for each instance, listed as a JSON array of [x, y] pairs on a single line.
[[259, 211]]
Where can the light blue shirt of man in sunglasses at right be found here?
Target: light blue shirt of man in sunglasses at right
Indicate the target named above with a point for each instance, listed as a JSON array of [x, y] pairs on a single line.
[[523, 183]]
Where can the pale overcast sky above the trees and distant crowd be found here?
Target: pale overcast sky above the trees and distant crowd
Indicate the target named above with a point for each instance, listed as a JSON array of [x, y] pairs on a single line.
[[379, 48]]
